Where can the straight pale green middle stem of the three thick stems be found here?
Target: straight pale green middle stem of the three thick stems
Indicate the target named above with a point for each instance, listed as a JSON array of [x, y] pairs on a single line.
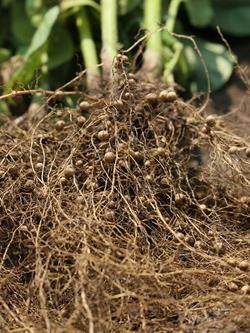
[[109, 34]]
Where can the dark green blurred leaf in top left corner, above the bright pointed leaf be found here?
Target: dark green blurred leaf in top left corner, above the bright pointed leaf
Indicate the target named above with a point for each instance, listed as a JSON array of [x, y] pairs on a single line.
[[21, 27]]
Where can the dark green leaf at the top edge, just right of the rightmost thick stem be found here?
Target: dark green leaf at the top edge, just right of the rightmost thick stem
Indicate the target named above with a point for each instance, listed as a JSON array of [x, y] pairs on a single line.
[[200, 12]]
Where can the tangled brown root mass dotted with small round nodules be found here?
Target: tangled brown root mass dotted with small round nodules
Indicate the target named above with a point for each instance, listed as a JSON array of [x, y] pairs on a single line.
[[113, 220]]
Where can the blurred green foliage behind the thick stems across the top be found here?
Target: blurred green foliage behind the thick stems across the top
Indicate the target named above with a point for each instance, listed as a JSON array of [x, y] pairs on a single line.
[[40, 40]]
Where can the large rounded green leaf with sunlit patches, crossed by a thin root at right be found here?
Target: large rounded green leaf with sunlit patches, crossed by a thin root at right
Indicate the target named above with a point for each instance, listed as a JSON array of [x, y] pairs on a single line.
[[218, 60]]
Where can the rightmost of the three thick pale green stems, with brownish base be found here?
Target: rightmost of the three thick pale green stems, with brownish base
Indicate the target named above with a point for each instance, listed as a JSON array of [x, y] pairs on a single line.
[[153, 53]]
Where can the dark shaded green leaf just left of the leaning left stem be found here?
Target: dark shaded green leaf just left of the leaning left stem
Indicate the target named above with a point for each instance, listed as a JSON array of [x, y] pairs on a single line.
[[60, 47]]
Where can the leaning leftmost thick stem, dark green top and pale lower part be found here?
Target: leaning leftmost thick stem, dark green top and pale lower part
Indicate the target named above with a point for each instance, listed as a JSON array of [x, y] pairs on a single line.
[[88, 49]]
